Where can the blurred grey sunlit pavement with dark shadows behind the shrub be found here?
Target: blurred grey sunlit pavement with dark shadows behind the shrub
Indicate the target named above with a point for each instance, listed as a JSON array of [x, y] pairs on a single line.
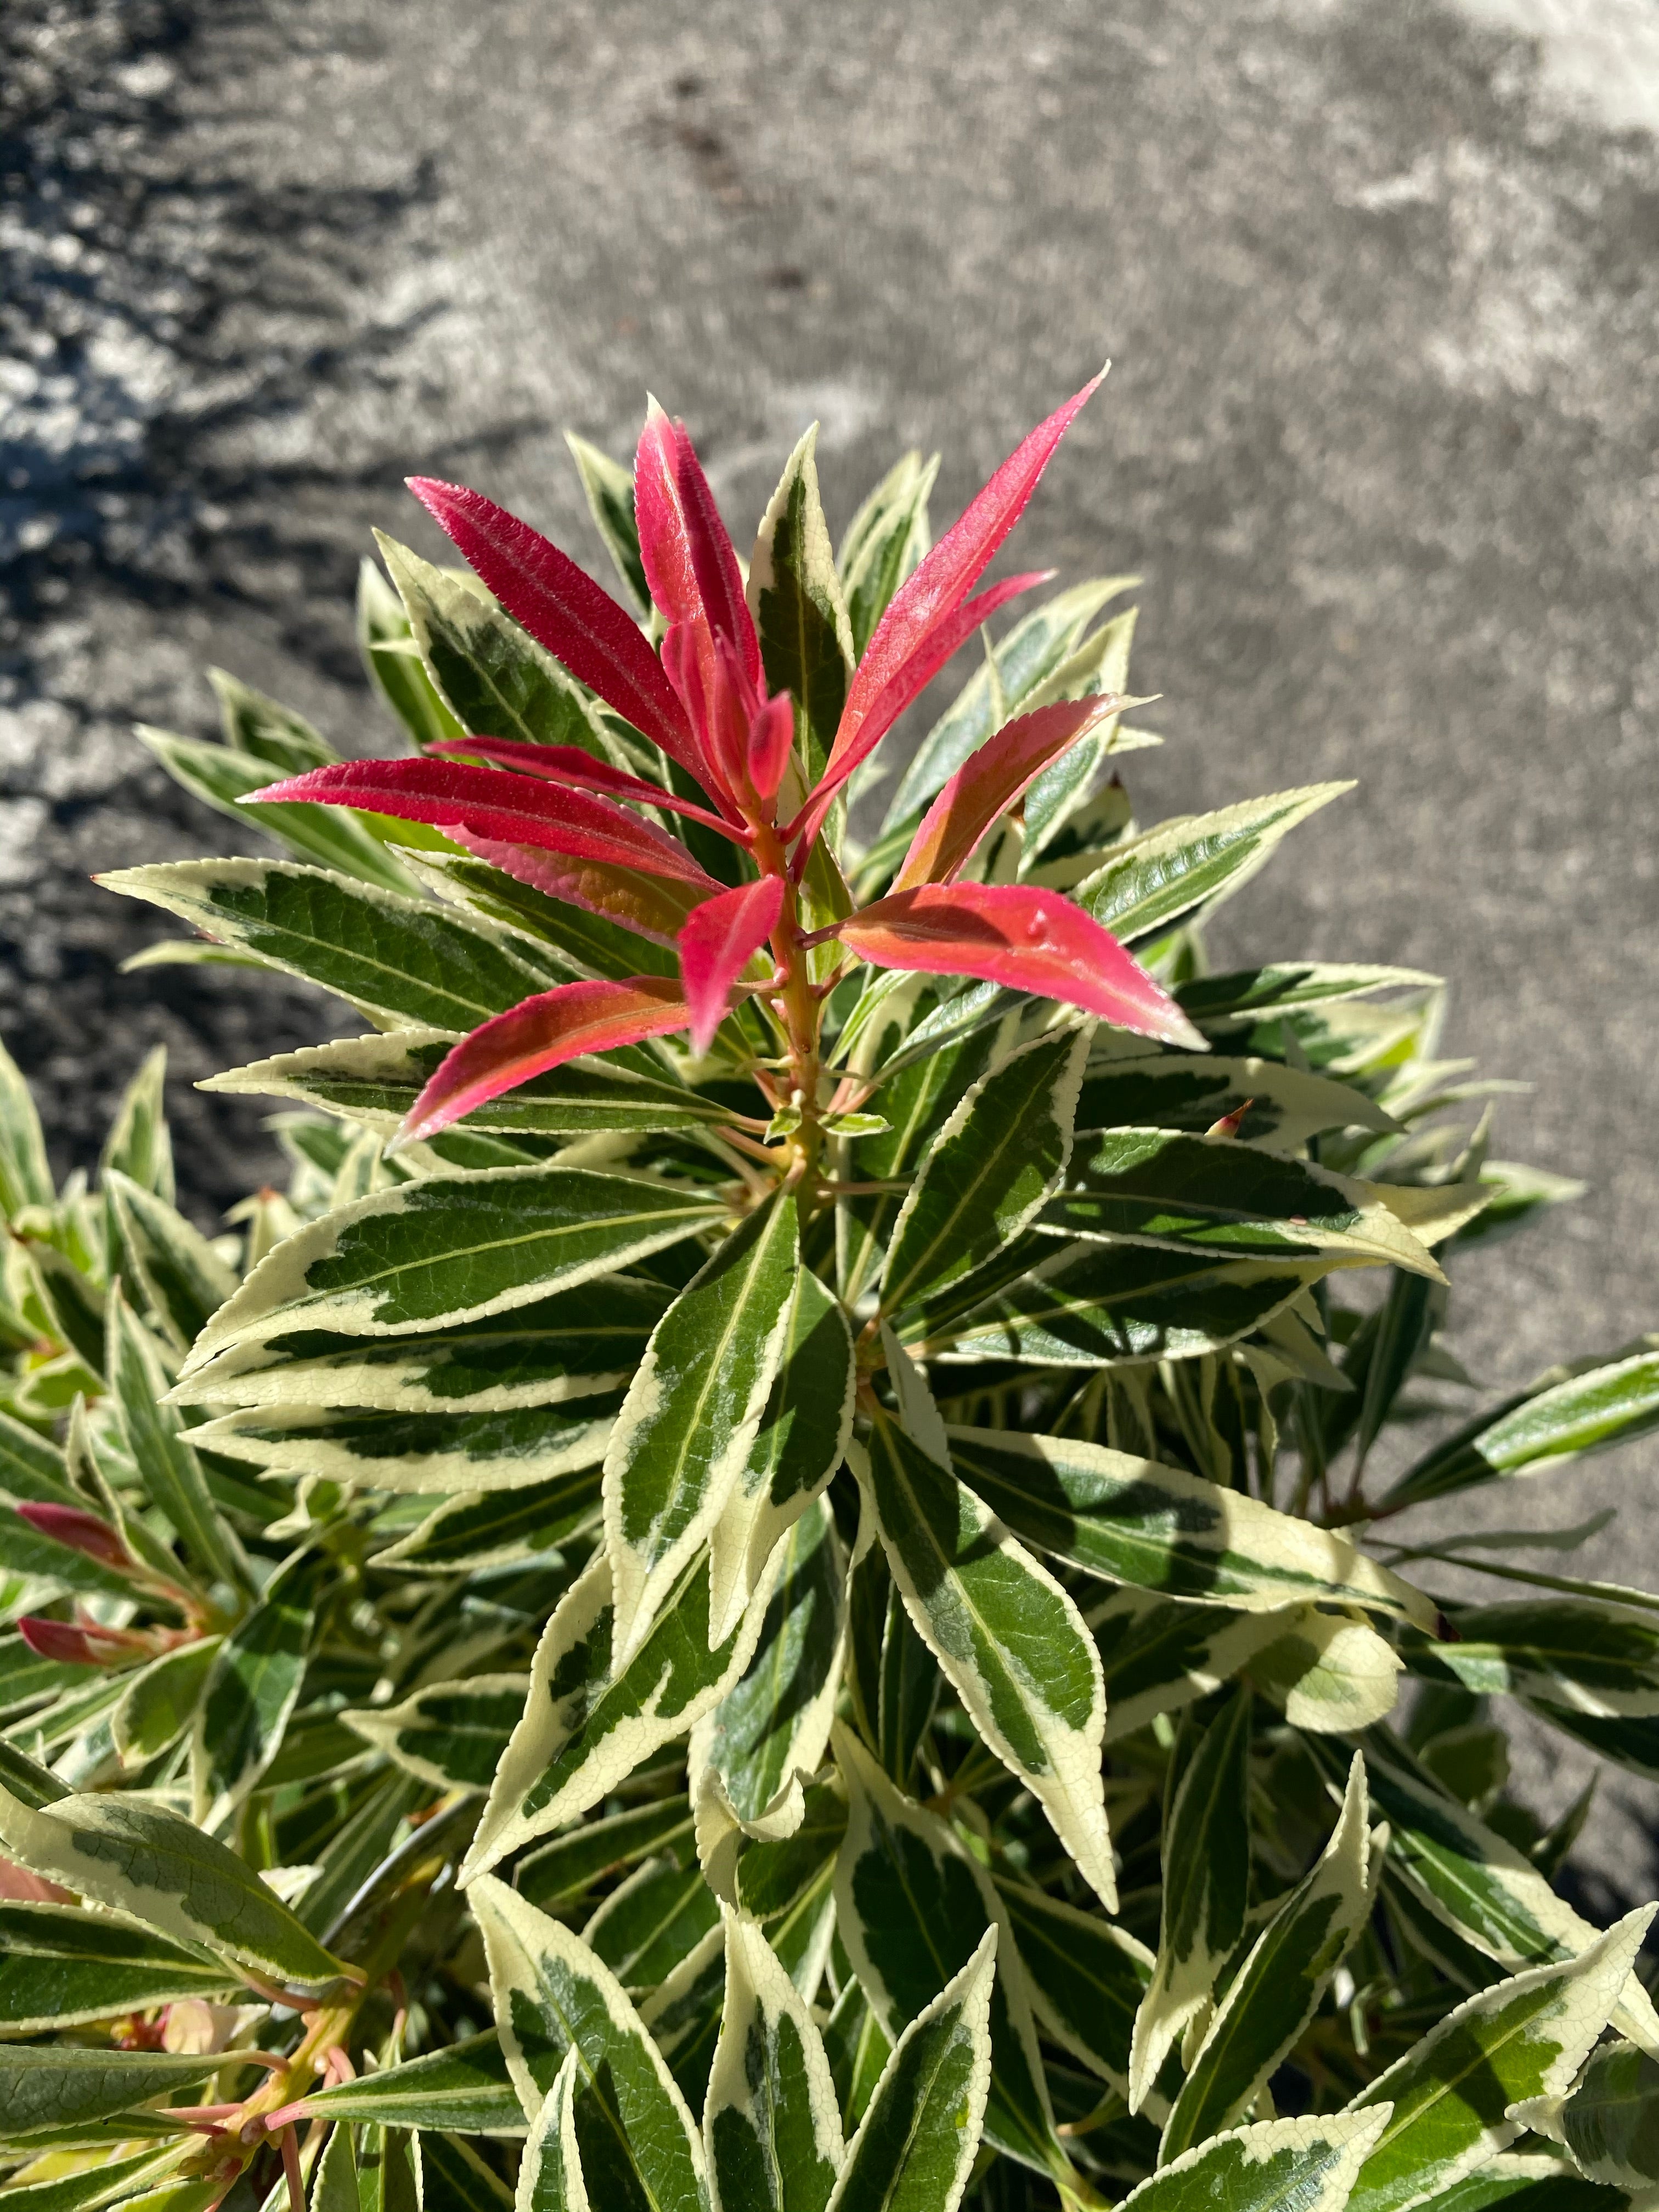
[[1379, 286]]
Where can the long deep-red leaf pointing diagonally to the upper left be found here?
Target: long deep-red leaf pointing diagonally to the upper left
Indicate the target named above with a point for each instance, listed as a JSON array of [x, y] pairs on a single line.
[[567, 612]]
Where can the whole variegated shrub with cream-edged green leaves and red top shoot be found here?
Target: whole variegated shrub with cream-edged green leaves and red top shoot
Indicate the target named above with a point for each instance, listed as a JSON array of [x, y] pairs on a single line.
[[786, 1576]]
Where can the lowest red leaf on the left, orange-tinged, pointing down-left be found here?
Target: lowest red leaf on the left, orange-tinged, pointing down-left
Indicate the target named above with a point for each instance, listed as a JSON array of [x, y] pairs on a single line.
[[543, 1034]]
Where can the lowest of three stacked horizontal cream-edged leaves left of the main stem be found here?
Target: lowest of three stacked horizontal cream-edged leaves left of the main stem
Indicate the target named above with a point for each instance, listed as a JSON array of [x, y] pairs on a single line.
[[421, 1452]]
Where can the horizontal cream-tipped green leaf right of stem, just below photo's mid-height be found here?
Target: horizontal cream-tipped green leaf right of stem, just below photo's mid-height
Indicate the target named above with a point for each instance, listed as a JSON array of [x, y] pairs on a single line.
[[1220, 1196]]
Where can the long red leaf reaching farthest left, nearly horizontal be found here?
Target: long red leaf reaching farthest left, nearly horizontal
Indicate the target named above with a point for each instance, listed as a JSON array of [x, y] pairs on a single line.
[[450, 795]]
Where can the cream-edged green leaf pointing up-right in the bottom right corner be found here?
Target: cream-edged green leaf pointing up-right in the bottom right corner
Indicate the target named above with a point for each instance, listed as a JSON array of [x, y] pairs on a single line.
[[1454, 2096]]
